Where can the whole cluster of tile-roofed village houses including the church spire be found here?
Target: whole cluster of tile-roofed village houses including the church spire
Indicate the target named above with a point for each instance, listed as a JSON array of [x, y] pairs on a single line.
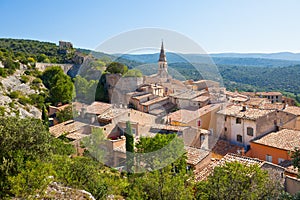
[[216, 125]]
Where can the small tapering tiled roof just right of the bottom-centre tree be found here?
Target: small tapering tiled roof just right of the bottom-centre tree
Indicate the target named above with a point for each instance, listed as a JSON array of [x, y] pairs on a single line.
[[195, 155]]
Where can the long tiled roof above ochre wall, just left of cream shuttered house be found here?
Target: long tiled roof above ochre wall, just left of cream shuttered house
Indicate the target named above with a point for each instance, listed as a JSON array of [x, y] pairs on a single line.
[[185, 116]]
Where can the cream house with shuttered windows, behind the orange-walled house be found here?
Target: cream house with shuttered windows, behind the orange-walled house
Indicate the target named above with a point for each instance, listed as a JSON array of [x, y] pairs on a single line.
[[240, 124]]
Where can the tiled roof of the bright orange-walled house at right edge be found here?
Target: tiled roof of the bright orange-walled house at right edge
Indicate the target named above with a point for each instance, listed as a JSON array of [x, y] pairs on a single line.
[[285, 139]]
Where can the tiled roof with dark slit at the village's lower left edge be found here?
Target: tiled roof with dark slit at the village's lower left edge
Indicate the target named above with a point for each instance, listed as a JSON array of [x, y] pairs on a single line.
[[66, 127]]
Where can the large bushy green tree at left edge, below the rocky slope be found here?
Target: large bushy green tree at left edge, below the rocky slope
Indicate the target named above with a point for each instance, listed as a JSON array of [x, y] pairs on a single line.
[[21, 140]]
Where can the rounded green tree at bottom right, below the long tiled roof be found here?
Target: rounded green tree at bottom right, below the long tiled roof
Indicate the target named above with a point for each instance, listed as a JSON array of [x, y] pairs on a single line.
[[237, 181]]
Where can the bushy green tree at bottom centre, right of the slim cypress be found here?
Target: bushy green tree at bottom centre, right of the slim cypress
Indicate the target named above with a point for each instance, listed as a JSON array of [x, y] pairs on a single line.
[[170, 182]]
